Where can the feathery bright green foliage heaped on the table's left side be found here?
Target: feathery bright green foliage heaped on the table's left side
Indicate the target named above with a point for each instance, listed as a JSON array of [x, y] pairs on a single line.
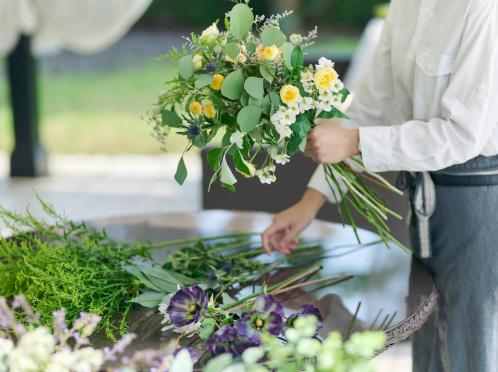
[[67, 265]]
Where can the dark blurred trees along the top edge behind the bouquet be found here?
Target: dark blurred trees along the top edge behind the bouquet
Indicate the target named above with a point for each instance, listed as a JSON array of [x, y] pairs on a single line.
[[352, 14]]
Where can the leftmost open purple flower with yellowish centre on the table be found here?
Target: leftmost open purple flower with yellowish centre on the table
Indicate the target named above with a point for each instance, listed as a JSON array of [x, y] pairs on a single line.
[[187, 306]]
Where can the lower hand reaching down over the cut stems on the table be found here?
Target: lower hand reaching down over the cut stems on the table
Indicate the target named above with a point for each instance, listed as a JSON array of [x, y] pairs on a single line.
[[282, 234]]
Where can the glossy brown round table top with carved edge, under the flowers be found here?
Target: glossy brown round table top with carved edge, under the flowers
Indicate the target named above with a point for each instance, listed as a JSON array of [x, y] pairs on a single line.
[[380, 282]]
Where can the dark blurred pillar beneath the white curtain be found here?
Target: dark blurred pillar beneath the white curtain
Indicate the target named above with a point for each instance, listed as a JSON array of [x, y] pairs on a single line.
[[28, 158]]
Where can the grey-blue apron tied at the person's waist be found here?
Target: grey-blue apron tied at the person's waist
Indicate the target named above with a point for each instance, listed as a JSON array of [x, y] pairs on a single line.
[[454, 229]]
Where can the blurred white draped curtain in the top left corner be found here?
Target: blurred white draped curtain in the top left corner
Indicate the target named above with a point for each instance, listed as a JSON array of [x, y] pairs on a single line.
[[82, 26]]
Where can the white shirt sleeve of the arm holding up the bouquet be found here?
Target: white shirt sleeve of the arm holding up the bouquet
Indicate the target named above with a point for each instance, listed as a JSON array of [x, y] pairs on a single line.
[[469, 108]]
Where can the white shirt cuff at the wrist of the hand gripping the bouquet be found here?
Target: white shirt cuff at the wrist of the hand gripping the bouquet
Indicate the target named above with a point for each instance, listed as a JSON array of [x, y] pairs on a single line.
[[377, 148]]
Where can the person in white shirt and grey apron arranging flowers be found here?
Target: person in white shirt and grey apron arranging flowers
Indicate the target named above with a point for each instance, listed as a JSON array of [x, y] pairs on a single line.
[[429, 108]]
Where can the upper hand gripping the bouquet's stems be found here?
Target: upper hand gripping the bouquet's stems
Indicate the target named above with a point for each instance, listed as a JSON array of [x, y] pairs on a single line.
[[331, 143]]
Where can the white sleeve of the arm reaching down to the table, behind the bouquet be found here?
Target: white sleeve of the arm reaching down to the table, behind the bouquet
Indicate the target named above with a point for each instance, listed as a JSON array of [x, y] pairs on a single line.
[[369, 106]]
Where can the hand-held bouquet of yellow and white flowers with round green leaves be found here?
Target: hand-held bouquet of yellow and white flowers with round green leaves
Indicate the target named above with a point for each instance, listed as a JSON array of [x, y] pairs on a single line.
[[250, 86]]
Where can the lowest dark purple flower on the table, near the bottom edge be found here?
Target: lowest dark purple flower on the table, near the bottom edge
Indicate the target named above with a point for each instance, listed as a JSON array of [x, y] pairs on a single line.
[[228, 340]]
